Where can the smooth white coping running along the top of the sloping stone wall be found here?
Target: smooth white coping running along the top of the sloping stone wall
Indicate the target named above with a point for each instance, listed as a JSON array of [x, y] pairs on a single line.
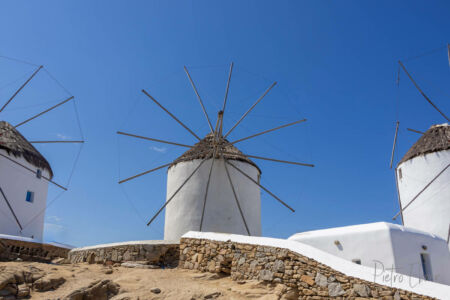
[[396, 280]]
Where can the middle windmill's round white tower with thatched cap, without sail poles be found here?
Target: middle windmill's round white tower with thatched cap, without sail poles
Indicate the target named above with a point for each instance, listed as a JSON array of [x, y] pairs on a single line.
[[220, 211]]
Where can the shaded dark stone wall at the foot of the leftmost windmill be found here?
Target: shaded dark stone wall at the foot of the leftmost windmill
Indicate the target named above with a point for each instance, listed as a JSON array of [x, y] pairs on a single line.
[[30, 251]]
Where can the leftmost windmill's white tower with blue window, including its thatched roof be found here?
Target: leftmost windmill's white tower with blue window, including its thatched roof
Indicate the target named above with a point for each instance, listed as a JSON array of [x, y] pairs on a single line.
[[22, 169]]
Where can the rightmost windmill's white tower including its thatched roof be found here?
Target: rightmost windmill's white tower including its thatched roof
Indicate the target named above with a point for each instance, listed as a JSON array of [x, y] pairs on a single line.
[[423, 178]]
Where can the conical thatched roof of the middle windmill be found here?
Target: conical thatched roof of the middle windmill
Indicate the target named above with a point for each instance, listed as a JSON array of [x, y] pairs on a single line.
[[204, 149]]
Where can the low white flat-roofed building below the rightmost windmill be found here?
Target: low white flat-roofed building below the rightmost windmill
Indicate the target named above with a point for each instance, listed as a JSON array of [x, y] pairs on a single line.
[[384, 245]]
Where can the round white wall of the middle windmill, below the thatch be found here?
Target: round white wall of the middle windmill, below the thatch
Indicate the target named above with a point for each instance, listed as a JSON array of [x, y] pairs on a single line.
[[221, 212]]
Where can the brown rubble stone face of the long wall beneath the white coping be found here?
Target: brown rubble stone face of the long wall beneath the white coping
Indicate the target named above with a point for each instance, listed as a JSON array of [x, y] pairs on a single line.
[[305, 277]]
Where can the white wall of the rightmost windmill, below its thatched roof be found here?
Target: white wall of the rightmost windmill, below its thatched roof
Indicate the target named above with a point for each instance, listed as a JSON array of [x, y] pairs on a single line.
[[430, 212]]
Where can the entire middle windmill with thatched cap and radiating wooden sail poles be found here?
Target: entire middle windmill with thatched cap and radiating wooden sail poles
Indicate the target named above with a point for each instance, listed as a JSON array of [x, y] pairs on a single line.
[[213, 186]]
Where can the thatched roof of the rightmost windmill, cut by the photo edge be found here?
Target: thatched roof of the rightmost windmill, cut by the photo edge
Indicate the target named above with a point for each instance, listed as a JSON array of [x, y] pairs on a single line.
[[435, 139]]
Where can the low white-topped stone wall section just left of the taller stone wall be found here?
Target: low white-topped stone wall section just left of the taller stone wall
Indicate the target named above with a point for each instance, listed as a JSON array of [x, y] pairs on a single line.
[[161, 253]]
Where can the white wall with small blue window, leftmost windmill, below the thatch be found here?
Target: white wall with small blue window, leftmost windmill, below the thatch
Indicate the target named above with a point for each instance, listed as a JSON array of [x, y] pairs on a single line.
[[15, 182]]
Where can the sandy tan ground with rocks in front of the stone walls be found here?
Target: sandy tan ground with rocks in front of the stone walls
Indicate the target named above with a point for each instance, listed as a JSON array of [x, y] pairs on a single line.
[[138, 283]]
